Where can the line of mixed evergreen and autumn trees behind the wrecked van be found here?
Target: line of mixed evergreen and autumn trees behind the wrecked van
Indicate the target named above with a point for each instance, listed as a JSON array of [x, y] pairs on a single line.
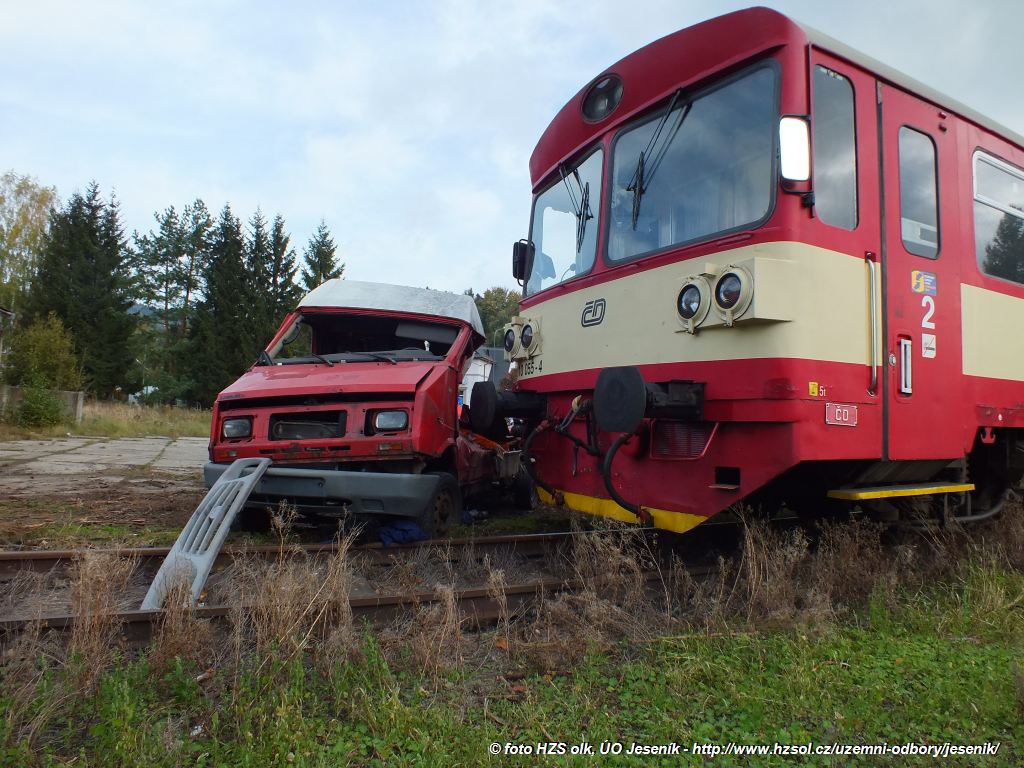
[[179, 312]]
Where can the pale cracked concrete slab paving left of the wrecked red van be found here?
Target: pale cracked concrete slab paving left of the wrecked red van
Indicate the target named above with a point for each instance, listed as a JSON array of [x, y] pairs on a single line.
[[76, 464]]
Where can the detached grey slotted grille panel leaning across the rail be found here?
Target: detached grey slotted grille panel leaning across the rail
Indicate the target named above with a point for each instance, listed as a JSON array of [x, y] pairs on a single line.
[[200, 542]]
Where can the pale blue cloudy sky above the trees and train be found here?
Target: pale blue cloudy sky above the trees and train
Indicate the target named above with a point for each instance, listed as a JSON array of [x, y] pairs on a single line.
[[406, 126]]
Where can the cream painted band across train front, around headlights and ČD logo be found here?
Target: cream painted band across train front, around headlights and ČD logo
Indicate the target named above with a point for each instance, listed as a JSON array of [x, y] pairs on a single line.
[[824, 294]]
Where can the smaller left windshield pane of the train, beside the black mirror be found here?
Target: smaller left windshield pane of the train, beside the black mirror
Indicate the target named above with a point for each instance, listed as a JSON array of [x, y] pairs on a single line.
[[565, 229]]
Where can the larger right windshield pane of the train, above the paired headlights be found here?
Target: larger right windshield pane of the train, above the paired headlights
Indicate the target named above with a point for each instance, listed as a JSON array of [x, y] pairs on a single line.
[[701, 168]]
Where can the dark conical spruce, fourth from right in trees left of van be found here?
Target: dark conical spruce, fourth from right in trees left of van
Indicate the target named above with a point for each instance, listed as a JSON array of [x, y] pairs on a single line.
[[221, 342]]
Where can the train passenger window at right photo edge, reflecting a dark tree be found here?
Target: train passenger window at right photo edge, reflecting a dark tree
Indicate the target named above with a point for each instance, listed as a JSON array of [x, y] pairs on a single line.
[[999, 218]]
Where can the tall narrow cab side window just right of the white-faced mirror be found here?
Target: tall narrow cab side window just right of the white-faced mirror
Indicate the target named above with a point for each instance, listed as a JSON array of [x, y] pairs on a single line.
[[835, 150]]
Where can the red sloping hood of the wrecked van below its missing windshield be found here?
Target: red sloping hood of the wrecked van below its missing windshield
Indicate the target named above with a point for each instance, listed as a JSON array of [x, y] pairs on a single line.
[[312, 379]]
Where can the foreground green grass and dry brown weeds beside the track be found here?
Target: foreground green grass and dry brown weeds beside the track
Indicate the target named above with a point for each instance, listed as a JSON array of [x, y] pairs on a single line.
[[823, 638]]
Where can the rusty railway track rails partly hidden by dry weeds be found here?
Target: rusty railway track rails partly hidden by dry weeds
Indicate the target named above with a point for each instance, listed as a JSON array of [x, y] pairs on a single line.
[[478, 605]]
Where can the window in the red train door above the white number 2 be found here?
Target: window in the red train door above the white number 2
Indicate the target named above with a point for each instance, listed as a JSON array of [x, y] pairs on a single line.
[[919, 194]]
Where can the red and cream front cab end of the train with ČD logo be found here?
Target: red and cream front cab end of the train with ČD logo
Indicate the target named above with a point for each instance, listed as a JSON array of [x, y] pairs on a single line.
[[699, 319]]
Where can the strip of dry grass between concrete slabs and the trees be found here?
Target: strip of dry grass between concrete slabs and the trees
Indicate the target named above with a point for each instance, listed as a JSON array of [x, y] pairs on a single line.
[[121, 420]]
